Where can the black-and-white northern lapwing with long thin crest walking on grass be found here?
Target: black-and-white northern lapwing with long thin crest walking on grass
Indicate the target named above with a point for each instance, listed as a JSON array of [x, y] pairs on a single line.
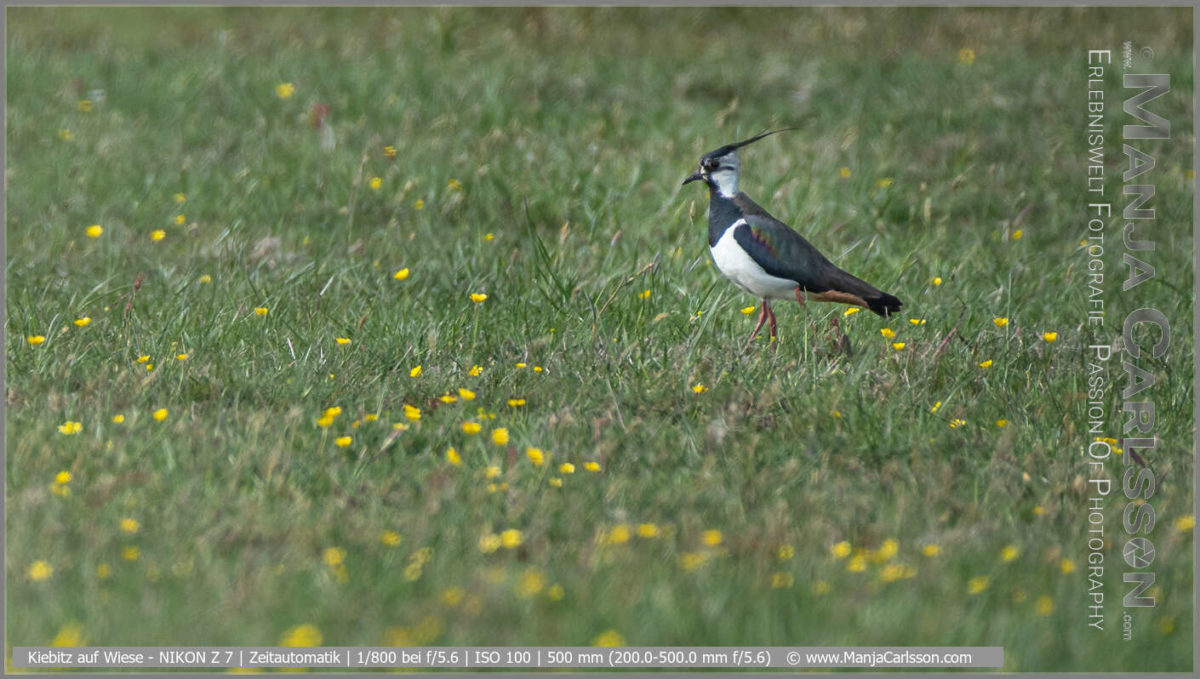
[[765, 256]]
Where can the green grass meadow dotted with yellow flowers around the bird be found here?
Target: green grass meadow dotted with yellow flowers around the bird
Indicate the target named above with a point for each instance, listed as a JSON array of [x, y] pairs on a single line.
[[303, 428]]
